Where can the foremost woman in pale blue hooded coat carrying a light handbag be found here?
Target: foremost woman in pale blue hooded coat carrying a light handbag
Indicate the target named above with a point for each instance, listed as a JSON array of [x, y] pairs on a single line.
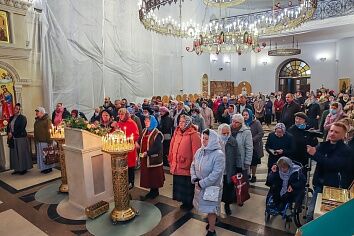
[[206, 172]]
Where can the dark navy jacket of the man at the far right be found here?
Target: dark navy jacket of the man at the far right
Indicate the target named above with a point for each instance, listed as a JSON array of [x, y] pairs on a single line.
[[335, 165]]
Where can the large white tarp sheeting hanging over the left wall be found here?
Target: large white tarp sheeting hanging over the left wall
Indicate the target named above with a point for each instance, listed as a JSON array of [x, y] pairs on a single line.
[[92, 49]]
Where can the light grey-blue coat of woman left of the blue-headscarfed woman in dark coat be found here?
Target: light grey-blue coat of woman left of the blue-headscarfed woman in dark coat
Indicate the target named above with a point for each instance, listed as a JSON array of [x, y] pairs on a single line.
[[244, 146]]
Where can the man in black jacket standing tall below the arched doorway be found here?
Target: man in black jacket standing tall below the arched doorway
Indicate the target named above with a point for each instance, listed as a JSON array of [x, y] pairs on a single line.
[[289, 110]]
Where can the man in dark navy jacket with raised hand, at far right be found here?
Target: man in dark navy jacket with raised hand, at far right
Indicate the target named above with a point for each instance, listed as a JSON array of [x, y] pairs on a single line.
[[335, 164]]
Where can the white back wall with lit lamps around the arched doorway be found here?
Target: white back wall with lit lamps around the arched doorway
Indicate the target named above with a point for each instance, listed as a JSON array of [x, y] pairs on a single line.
[[339, 57]]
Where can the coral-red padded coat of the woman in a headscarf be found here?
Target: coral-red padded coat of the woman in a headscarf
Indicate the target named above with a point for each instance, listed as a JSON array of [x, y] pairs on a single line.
[[182, 149]]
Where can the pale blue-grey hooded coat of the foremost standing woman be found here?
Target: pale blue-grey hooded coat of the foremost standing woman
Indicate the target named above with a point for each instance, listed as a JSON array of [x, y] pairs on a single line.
[[208, 166]]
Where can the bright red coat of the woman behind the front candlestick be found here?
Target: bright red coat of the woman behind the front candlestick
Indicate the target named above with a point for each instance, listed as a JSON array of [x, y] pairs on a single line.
[[130, 128]]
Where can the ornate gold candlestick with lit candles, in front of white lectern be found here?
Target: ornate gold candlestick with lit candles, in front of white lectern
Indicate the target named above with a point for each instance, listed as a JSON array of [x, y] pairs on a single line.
[[118, 147]]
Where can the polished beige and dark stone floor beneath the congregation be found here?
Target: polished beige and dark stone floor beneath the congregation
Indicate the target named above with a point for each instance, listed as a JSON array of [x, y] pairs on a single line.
[[22, 214]]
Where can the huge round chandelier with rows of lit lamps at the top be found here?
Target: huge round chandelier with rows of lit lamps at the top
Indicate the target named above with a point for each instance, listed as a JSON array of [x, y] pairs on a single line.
[[239, 33]]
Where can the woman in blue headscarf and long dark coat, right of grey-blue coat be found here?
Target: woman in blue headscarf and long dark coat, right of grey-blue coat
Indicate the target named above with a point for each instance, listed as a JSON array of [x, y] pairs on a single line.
[[257, 136]]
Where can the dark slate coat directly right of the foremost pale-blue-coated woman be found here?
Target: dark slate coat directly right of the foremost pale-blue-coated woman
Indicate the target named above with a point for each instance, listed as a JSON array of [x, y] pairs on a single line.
[[231, 153]]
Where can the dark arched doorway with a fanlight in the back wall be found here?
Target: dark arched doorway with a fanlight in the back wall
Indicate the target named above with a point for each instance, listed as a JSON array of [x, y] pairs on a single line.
[[293, 75]]
